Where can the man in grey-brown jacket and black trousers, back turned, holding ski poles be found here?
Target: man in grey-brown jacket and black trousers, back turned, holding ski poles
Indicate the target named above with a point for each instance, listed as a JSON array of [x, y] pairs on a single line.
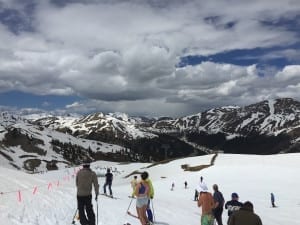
[[85, 179]]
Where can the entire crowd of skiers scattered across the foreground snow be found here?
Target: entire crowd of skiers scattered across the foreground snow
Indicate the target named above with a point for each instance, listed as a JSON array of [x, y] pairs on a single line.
[[142, 190]]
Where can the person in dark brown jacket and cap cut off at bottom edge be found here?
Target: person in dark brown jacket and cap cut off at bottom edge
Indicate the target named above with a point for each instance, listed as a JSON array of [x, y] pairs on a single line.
[[245, 216]]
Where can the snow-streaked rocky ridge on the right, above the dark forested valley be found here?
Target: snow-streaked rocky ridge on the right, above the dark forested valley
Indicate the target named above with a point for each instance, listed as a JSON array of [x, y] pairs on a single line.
[[270, 117]]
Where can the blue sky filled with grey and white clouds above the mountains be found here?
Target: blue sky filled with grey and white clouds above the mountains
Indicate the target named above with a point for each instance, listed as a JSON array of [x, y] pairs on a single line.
[[150, 57]]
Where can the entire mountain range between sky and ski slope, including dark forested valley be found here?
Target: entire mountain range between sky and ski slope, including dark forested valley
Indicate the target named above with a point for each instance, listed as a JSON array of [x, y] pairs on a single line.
[[44, 140]]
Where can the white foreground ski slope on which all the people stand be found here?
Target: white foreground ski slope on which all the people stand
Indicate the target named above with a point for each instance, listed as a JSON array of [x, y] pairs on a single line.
[[253, 177]]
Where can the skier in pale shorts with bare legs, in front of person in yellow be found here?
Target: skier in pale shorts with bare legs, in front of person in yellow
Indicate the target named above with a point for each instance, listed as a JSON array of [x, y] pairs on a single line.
[[142, 198]]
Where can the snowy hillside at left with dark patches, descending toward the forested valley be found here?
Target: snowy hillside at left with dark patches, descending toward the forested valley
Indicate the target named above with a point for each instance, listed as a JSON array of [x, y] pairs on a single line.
[[16, 156]]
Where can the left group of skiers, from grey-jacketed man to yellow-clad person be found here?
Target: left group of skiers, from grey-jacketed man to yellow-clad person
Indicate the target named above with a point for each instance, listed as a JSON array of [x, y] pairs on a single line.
[[86, 179]]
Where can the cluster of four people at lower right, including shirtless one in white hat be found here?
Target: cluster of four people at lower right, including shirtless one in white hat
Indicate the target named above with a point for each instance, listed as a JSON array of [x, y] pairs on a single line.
[[212, 208]]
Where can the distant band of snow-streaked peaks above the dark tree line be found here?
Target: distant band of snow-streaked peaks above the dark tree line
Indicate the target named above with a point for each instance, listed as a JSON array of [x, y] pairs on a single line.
[[267, 117]]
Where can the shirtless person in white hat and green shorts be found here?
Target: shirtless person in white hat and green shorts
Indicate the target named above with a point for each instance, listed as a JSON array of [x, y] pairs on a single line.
[[206, 201]]
